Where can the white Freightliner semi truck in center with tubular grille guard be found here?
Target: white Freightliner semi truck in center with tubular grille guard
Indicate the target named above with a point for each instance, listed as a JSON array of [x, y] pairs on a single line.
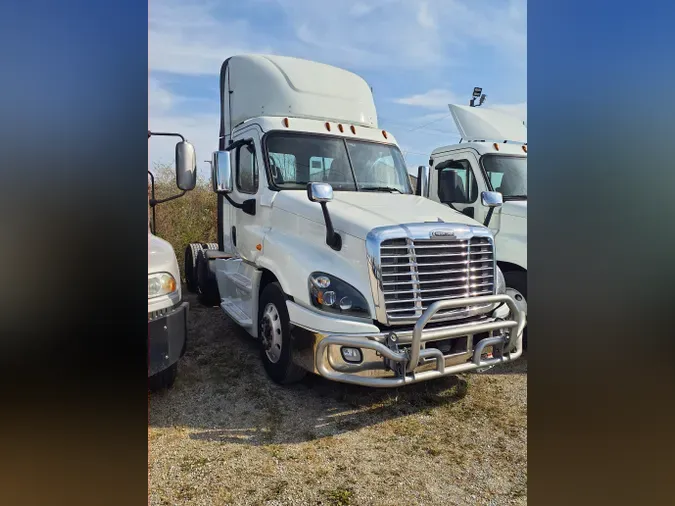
[[325, 254]]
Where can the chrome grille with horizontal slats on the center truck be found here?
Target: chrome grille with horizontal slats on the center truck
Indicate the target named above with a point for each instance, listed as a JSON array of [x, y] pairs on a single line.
[[417, 272]]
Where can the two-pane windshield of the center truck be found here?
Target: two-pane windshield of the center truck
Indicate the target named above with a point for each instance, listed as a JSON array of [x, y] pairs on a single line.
[[348, 165]]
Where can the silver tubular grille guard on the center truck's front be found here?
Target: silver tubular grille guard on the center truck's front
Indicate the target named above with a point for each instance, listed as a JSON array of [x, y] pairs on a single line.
[[414, 356]]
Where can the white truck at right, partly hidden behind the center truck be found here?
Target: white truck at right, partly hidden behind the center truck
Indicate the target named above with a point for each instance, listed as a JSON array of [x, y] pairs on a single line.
[[491, 156]]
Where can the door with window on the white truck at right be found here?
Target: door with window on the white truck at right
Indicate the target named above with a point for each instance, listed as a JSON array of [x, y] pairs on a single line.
[[457, 181]]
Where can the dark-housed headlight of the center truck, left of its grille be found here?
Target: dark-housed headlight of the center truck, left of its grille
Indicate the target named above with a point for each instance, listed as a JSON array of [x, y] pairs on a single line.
[[331, 294]]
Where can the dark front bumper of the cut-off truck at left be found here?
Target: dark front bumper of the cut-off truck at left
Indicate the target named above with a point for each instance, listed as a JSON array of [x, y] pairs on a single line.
[[167, 336]]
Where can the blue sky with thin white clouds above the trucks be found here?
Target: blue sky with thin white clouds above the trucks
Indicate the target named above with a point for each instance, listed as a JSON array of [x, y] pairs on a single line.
[[418, 55]]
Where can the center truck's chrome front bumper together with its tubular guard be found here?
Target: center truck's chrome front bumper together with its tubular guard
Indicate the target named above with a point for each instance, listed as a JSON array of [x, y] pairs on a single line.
[[391, 359]]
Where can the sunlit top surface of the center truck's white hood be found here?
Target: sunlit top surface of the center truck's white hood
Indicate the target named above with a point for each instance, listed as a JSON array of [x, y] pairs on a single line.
[[357, 213]]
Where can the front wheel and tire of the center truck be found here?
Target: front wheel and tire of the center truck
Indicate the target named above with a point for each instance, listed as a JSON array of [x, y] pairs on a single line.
[[276, 352]]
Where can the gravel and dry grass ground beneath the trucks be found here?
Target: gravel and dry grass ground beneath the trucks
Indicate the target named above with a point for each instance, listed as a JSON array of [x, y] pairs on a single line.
[[225, 434]]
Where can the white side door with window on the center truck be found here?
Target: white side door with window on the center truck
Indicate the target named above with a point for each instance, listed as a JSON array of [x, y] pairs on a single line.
[[246, 232]]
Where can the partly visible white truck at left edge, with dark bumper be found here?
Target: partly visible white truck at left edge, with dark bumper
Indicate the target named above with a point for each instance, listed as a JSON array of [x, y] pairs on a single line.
[[167, 312]]
